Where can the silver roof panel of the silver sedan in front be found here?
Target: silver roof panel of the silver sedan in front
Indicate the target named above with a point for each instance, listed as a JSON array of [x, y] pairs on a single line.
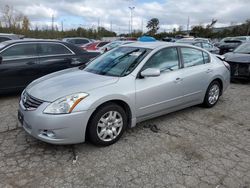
[[151, 45]]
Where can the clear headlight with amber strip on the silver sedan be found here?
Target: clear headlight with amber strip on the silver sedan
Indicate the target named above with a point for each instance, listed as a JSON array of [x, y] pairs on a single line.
[[65, 105]]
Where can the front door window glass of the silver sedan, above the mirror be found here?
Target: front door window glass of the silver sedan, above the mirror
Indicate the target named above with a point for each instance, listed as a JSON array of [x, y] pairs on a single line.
[[165, 60]]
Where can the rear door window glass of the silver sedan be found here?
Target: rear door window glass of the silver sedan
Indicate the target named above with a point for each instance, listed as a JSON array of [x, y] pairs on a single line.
[[192, 57]]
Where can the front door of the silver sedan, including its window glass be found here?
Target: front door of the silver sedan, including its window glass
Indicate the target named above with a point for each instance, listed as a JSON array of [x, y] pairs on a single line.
[[154, 94]]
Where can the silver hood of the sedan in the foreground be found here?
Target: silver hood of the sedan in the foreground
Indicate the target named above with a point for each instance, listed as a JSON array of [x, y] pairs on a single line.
[[66, 82]]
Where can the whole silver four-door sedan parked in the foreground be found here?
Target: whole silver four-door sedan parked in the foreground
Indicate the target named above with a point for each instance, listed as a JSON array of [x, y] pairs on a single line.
[[118, 89]]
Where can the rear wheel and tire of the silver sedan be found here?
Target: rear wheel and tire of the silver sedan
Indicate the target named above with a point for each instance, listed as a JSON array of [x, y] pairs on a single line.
[[212, 94]]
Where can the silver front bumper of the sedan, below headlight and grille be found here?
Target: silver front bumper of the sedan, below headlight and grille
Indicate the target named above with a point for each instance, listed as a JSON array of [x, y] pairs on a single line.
[[67, 128]]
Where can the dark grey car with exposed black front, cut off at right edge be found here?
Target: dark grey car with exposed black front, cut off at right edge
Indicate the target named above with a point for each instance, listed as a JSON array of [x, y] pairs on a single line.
[[239, 61]]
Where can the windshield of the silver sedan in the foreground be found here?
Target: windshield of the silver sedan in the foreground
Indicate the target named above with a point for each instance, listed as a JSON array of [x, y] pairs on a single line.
[[118, 62]]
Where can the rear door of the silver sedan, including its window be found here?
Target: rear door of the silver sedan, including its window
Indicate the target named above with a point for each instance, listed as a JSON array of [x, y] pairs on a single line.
[[196, 73]]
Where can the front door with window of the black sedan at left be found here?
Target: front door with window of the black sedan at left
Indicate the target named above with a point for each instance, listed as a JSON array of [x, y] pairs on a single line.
[[19, 66]]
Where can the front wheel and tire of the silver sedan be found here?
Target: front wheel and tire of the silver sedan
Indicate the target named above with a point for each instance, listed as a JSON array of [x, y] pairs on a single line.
[[107, 125]]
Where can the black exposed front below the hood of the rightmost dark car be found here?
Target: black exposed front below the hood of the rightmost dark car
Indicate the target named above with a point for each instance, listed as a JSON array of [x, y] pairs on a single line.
[[239, 69]]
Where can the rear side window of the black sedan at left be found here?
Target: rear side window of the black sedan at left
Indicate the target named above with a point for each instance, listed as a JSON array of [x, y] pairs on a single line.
[[53, 49]]
